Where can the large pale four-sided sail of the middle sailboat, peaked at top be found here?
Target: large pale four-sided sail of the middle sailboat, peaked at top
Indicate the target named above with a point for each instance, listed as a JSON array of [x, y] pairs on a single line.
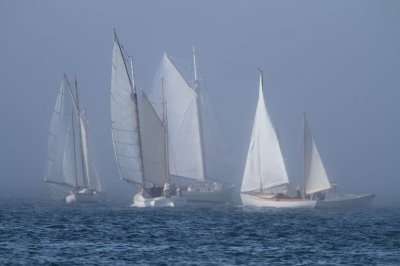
[[185, 153]]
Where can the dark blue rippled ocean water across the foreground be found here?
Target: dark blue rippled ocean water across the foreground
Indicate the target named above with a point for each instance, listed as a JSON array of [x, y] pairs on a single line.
[[48, 232]]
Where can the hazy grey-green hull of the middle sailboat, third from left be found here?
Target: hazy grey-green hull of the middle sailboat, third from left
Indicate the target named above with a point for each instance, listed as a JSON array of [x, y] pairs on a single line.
[[221, 196]]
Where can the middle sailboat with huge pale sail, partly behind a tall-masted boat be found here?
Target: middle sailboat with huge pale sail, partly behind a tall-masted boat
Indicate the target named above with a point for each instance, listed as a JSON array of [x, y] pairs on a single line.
[[185, 135]]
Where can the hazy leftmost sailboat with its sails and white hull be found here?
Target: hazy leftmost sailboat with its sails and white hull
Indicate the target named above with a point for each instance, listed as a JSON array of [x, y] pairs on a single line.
[[69, 164]]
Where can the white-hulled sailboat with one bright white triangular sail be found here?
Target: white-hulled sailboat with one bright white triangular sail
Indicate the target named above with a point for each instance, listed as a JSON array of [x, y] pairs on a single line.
[[265, 179]]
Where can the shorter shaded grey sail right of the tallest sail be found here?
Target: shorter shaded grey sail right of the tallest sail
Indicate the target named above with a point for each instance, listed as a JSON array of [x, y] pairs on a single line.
[[152, 132]]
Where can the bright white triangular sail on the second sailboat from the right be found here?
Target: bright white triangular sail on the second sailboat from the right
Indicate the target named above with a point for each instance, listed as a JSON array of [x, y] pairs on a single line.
[[265, 166]]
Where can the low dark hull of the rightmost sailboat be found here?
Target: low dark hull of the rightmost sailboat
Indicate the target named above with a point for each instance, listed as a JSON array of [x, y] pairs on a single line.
[[347, 201]]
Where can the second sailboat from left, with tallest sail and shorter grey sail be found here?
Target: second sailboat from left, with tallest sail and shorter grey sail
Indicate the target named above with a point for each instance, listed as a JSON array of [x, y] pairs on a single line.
[[139, 163]]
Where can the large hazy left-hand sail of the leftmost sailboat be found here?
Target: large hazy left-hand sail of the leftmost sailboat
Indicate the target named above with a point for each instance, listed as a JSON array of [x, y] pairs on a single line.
[[60, 125]]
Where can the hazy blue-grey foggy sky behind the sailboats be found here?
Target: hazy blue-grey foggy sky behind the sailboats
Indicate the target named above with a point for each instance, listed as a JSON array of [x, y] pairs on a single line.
[[338, 61]]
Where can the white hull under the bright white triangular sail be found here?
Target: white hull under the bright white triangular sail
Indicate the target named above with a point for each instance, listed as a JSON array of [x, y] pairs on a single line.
[[269, 202]]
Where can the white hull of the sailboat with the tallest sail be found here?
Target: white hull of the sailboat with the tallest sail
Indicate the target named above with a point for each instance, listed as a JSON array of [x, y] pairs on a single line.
[[144, 202]]
